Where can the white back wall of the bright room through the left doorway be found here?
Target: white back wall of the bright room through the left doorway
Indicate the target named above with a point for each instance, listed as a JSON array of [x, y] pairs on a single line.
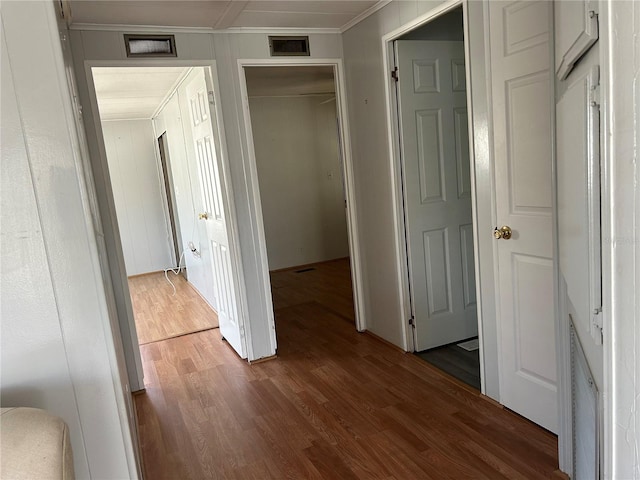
[[140, 203]]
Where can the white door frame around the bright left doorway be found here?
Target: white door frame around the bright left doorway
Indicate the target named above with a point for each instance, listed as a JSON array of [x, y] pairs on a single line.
[[126, 321]]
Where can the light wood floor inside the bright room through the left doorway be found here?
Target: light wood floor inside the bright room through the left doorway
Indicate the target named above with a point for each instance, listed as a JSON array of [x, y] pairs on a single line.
[[159, 314]]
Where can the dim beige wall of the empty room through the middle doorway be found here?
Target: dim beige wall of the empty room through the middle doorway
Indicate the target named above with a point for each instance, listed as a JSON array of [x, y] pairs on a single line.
[[300, 179]]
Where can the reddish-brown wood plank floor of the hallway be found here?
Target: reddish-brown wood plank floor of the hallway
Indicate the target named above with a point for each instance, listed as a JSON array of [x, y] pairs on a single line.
[[334, 404]]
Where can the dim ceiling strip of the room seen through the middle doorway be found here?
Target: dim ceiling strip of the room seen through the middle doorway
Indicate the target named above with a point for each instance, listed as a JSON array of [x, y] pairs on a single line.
[[286, 81]]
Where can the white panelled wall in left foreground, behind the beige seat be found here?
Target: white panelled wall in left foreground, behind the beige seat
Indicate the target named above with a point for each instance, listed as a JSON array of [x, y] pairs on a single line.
[[57, 350]]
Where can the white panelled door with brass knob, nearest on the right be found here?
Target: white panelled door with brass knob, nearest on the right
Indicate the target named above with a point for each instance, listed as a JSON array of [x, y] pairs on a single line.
[[522, 89]]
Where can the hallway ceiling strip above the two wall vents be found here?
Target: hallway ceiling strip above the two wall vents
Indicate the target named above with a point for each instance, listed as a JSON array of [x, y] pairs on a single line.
[[221, 14]]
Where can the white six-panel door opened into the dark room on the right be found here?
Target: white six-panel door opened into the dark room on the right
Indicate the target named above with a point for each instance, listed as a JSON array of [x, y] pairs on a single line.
[[437, 182]]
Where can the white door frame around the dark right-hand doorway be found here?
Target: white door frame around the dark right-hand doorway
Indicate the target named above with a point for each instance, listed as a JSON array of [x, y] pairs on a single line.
[[479, 148]]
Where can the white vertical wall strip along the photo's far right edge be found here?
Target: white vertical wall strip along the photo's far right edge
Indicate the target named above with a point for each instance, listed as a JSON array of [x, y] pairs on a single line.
[[621, 238]]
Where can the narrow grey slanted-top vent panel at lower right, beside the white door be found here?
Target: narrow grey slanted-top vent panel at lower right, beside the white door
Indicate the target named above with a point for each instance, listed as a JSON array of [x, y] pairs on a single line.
[[585, 416]]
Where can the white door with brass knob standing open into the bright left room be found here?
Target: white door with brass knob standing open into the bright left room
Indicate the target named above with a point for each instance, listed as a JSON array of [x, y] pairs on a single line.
[[215, 211]]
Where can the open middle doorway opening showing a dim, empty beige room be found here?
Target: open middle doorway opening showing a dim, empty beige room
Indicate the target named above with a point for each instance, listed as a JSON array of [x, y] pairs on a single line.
[[298, 154]]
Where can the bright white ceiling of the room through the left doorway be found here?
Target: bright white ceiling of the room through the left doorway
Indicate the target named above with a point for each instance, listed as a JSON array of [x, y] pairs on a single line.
[[126, 93]]
